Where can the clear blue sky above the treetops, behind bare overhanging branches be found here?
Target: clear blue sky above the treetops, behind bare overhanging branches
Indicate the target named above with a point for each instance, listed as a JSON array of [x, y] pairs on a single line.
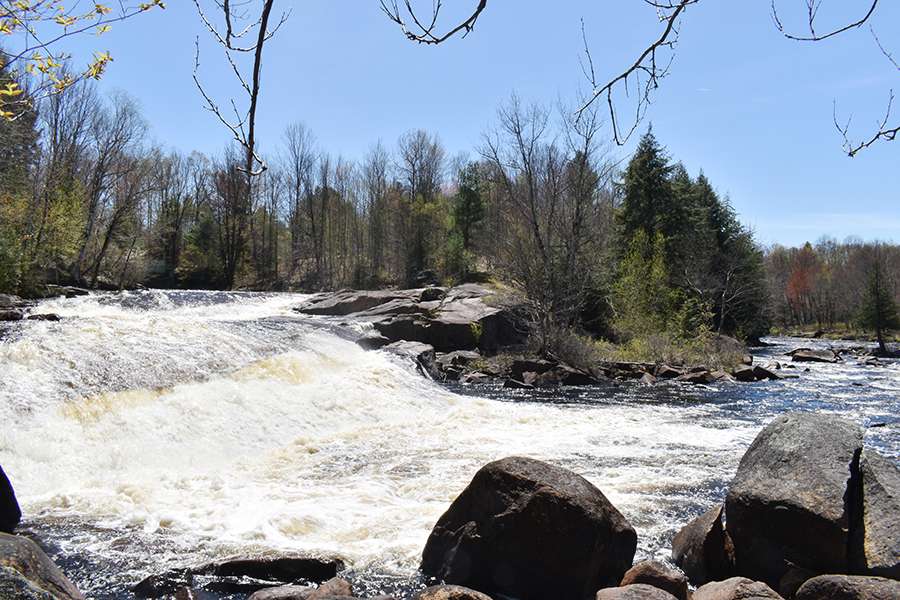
[[750, 108]]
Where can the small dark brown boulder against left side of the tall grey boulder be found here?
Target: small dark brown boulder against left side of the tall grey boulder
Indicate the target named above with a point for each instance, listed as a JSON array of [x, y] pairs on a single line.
[[703, 549]]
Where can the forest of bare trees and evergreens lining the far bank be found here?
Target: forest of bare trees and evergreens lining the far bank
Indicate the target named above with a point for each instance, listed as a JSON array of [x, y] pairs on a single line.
[[616, 249]]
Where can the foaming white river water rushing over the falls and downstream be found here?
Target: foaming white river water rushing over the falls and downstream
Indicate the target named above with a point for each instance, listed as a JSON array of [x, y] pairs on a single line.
[[156, 429]]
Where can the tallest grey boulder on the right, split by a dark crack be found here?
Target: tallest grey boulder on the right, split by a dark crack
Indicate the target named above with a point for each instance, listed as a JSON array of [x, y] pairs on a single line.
[[788, 504]]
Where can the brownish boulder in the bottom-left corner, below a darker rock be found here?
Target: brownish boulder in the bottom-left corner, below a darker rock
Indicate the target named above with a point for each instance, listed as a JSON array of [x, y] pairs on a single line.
[[26, 573]]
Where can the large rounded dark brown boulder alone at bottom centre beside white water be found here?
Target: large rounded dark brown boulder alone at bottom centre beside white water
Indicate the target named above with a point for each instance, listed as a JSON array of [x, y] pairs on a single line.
[[531, 530]]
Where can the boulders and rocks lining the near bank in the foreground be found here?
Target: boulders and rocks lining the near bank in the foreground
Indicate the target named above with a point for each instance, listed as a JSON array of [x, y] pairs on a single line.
[[811, 514]]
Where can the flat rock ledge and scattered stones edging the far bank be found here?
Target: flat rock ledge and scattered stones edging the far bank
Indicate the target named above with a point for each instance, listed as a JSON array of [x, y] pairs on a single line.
[[474, 334]]
